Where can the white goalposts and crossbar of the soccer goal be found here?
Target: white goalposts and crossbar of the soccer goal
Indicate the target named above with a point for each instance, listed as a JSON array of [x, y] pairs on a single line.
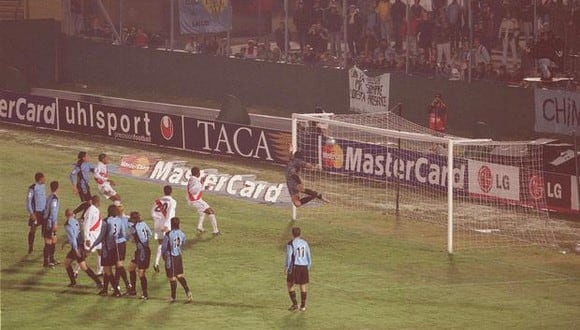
[[448, 141]]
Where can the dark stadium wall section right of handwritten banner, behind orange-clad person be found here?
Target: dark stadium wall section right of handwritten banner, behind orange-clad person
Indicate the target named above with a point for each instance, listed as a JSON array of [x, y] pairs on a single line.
[[507, 113]]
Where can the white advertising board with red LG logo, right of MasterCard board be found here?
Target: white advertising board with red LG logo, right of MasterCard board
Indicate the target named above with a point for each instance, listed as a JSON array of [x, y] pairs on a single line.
[[493, 180]]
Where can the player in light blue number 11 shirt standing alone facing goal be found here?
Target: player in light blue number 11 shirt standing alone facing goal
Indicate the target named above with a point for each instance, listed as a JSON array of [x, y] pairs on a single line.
[[298, 262]]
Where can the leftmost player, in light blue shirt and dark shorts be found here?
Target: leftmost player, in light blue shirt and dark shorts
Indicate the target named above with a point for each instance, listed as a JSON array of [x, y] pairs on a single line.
[[35, 205]]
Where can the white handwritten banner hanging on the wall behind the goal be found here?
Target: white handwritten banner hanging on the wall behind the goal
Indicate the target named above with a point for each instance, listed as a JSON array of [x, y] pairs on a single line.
[[368, 94]]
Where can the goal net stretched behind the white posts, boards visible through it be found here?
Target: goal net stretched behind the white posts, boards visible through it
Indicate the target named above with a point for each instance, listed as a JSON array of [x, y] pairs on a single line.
[[384, 164]]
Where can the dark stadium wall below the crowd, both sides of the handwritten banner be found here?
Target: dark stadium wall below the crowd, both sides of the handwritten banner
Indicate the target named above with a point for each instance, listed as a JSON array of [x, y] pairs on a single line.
[[480, 108]]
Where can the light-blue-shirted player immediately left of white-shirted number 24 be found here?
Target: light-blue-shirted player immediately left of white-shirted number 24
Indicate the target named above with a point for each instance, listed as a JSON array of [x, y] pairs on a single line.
[[141, 235]]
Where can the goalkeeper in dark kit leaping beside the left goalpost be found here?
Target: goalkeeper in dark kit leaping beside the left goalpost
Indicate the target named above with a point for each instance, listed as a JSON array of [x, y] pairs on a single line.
[[294, 183]]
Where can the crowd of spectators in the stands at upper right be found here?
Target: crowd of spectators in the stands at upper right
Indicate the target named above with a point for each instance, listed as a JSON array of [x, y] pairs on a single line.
[[508, 43]]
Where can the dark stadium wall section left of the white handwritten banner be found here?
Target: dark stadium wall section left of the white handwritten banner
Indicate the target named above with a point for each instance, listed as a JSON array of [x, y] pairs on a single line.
[[293, 88]]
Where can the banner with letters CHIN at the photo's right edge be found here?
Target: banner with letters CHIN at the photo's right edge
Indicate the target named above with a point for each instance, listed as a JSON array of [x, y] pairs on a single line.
[[557, 111]]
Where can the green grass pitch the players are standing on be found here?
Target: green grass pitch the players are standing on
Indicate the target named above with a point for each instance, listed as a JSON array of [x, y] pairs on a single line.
[[369, 272]]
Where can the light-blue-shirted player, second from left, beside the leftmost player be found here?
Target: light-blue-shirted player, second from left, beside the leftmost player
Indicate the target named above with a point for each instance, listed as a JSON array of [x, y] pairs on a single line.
[[49, 226]]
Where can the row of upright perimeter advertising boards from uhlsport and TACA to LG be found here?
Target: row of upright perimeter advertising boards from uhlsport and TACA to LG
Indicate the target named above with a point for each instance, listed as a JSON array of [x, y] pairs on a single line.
[[557, 185]]
